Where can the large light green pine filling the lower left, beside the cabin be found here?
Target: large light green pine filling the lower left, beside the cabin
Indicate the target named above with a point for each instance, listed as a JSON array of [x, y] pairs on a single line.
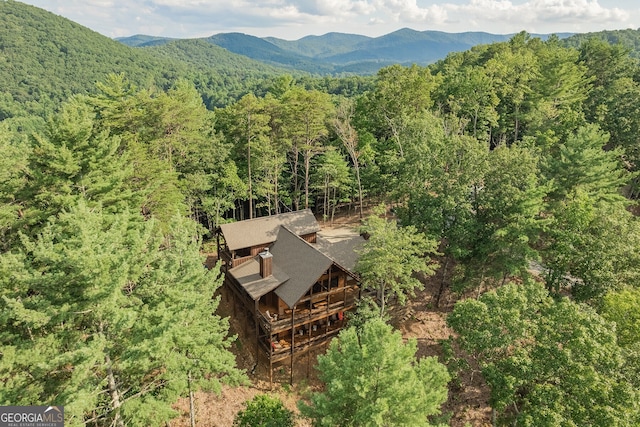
[[98, 305]]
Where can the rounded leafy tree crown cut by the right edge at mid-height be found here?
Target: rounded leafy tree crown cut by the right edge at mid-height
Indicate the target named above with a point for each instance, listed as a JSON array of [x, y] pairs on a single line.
[[584, 251]]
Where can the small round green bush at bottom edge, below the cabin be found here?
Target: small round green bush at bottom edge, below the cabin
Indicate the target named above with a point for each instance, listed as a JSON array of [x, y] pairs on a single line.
[[264, 411]]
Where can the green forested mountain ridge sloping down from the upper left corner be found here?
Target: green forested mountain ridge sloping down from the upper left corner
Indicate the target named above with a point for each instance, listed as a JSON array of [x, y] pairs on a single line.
[[45, 58]]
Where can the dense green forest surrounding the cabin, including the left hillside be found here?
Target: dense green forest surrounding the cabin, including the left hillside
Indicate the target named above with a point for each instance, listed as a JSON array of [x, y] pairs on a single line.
[[503, 159]]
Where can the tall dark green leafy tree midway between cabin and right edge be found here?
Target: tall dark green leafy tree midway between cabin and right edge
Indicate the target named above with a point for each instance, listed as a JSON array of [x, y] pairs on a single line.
[[507, 217]]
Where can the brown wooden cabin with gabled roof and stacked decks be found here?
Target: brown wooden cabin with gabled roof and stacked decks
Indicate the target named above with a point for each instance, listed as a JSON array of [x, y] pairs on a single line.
[[294, 286]]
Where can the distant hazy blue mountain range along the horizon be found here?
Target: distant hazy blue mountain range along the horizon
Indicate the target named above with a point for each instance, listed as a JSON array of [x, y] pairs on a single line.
[[335, 53]]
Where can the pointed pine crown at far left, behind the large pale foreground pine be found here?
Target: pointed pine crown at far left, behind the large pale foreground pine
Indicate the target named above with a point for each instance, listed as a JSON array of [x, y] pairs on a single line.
[[73, 161]]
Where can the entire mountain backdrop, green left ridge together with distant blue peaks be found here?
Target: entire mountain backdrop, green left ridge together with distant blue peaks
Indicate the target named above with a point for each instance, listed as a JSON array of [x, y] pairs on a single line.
[[45, 58]]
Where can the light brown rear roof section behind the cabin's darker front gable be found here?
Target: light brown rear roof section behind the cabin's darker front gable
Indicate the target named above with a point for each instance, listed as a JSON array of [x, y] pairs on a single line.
[[264, 230]]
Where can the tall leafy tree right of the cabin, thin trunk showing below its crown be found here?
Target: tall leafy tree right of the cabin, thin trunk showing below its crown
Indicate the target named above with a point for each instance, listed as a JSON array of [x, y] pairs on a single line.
[[442, 172]]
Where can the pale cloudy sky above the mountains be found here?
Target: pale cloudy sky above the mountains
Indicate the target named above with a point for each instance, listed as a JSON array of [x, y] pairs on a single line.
[[294, 19]]
